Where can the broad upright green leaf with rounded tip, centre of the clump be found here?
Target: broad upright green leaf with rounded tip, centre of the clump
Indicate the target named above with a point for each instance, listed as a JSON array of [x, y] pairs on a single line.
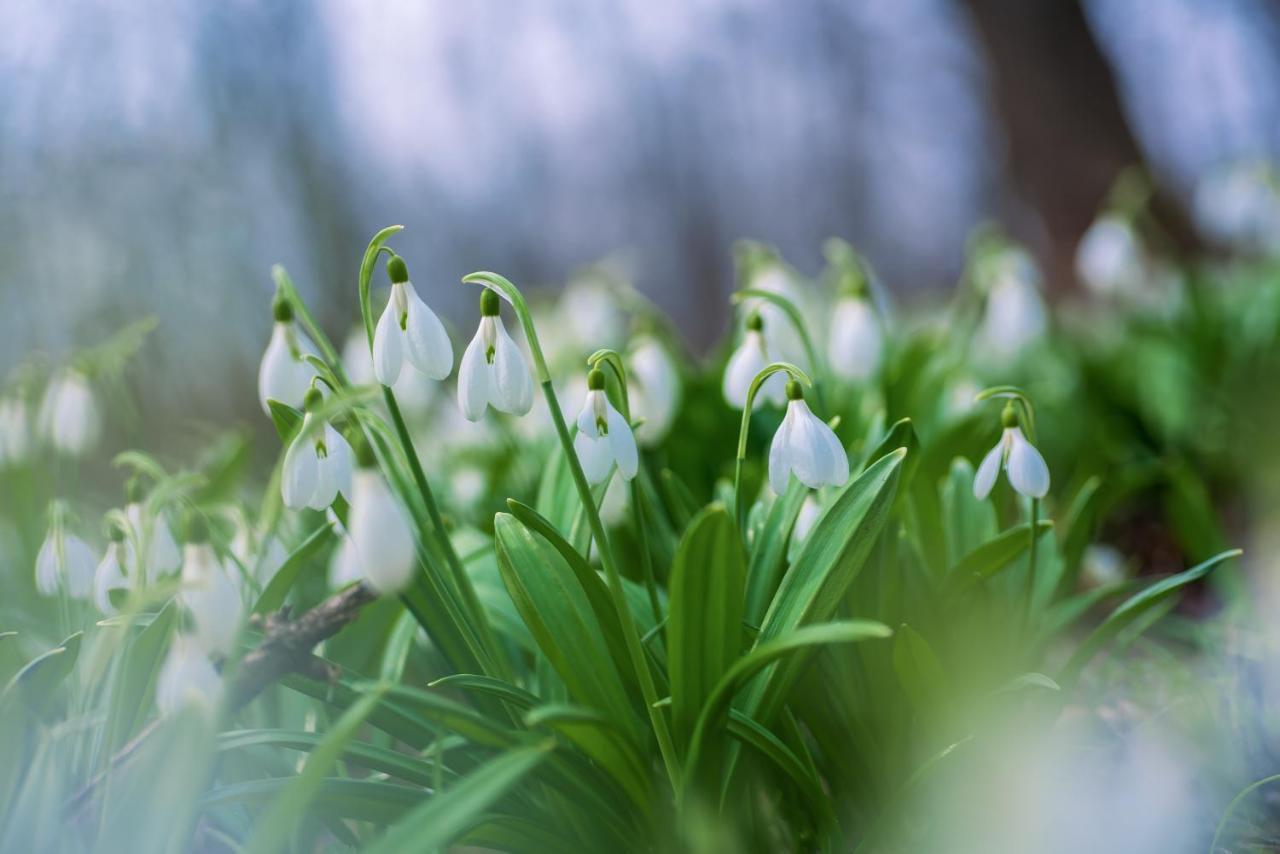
[[705, 625]]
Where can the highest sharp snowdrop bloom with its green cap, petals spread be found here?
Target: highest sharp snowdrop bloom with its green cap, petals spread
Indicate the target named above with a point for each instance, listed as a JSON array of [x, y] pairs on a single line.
[[409, 331]]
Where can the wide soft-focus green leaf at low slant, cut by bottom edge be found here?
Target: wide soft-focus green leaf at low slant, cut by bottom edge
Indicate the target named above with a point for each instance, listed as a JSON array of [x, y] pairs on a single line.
[[447, 816]]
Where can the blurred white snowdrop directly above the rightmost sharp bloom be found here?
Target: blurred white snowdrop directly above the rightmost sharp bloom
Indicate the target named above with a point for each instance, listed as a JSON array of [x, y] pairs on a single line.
[[1016, 313]]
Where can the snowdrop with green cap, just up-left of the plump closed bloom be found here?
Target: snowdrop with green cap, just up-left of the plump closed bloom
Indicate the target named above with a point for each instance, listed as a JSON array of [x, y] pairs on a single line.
[[318, 464]]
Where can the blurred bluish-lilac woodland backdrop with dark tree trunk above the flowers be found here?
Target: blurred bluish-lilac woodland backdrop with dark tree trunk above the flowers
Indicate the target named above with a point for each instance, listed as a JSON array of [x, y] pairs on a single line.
[[158, 158]]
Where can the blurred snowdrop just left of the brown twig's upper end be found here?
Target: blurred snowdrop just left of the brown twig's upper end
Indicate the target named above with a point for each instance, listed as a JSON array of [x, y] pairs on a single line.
[[208, 592]]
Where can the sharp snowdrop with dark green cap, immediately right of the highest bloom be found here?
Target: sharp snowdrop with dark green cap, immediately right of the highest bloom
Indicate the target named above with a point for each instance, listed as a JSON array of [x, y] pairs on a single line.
[[493, 371]]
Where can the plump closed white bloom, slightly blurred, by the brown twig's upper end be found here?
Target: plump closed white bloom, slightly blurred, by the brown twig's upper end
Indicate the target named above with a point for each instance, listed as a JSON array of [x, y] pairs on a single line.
[[381, 533]]
